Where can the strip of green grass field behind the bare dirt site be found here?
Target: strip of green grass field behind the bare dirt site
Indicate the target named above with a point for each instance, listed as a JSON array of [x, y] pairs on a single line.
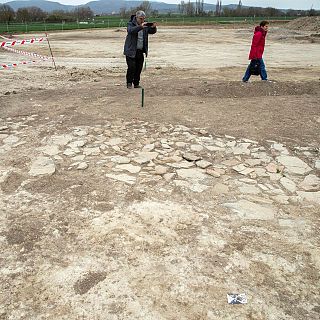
[[117, 22]]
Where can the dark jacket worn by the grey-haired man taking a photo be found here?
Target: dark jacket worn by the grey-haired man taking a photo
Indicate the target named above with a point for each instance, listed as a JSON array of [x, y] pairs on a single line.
[[130, 45]]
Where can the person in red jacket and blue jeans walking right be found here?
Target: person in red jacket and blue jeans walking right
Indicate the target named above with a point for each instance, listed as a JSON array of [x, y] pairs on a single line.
[[256, 52]]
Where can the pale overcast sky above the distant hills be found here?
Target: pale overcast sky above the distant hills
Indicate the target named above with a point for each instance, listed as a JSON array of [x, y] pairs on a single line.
[[282, 4]]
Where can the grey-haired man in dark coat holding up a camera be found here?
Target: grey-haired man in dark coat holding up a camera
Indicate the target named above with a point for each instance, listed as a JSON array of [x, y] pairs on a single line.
[[136, 45]]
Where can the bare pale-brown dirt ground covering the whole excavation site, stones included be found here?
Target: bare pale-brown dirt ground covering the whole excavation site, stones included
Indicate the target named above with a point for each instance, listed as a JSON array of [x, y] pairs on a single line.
[[113, 211]]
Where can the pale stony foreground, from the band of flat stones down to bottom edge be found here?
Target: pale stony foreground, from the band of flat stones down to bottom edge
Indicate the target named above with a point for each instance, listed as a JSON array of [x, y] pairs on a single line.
[[158, 212]]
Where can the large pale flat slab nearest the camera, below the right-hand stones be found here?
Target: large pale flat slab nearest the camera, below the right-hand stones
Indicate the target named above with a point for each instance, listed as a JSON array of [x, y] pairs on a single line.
[[252, 211]]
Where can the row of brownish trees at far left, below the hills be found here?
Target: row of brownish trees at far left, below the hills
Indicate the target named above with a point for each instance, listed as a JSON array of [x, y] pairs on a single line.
[[35, 14]]
